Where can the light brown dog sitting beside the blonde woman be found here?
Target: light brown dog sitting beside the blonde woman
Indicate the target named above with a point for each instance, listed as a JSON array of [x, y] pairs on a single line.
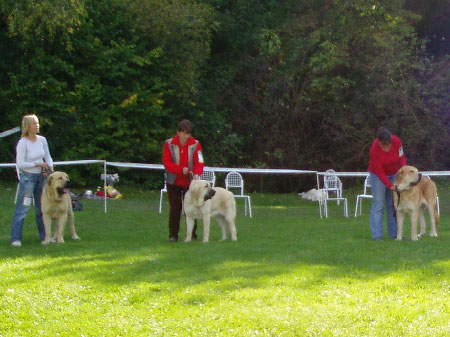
[[57, 205]]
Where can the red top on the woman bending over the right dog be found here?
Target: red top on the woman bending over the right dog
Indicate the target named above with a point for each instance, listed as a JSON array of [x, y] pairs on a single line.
[[385, 164]]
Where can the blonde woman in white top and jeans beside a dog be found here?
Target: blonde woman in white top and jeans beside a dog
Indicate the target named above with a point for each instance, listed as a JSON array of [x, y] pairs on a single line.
[[34, 162]]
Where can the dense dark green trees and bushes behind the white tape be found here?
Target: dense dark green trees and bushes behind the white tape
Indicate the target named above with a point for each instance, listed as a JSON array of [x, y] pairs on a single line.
[[293, 84]]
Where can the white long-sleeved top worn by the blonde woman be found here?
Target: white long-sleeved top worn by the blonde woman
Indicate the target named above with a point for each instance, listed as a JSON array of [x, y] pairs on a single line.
[[29, 153]]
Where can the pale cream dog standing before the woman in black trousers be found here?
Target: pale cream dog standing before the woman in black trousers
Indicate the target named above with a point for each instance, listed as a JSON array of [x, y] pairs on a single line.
[[203, 202]]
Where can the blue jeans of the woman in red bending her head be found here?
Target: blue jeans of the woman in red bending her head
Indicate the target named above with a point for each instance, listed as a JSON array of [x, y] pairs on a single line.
[[382, 196]]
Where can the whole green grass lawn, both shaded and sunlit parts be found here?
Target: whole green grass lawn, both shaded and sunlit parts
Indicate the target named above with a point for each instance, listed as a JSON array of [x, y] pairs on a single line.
[[289, 274]]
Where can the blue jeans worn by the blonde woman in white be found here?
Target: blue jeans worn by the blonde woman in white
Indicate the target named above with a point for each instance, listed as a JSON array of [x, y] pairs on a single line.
[[29, 184]]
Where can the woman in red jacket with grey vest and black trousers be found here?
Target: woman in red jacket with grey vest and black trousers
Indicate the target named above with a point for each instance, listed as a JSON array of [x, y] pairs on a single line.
[[183, 160]]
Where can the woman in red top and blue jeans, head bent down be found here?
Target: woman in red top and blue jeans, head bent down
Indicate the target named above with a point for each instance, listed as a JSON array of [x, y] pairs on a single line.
[[386, 158]]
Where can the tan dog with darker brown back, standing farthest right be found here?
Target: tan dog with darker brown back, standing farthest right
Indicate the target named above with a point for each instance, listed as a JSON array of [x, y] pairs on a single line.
[[415, 194]]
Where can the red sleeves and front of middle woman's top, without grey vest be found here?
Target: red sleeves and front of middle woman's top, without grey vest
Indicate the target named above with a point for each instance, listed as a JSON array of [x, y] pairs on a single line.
[[177, 168]]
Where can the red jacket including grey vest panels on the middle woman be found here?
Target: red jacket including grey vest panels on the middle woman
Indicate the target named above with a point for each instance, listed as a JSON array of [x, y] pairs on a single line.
[[174, 161]]
